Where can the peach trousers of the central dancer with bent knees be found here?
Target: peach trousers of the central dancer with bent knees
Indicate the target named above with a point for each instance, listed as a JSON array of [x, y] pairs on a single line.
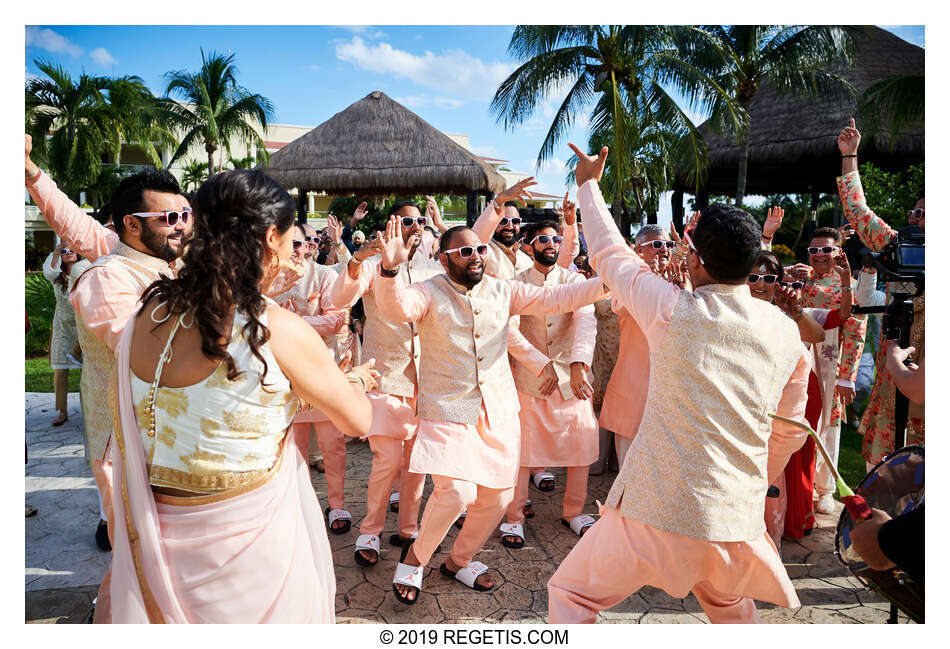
[[449, 498]]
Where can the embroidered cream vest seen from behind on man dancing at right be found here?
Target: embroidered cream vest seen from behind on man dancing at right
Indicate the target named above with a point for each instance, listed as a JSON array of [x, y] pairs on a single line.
[[697, 467]]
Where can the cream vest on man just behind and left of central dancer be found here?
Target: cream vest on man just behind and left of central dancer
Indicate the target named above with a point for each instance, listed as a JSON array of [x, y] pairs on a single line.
[[395, 345]]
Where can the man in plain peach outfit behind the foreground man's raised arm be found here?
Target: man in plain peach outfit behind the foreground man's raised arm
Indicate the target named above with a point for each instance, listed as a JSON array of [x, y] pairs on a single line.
[[626, 391]]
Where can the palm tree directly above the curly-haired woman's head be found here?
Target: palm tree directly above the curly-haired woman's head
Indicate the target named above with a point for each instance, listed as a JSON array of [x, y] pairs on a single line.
[[215, 107]]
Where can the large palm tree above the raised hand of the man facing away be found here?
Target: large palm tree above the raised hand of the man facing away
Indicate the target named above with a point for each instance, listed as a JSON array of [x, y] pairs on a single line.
[[625, 71]]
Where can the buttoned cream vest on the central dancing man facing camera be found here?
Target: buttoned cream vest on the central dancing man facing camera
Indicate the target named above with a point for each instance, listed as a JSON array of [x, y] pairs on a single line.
[[464, 358]]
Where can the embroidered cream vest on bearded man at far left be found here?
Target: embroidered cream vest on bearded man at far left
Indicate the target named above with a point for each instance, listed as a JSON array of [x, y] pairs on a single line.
[[98, 359]]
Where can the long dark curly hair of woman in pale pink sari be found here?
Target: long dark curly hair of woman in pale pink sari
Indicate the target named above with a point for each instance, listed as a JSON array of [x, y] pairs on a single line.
[[222, 261]]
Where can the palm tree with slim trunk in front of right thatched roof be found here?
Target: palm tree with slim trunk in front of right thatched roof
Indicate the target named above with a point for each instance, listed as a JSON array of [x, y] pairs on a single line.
[[794, 59]]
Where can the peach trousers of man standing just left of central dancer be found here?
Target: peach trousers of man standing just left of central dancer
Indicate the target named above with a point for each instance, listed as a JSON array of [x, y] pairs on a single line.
[[390, 461]]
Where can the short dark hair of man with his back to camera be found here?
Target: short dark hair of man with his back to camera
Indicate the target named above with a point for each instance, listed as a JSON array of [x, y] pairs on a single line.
[[728, 240]]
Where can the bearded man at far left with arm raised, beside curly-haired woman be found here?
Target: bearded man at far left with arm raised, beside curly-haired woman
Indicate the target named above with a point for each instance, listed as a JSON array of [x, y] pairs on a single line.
[[152, 221]]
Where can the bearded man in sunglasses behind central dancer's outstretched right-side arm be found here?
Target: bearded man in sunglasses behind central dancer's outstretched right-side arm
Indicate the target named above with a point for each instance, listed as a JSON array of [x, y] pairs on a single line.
[[558, 427]]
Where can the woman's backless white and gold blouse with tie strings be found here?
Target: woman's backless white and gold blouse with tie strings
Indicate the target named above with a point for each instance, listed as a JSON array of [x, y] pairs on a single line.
[[216, 434]]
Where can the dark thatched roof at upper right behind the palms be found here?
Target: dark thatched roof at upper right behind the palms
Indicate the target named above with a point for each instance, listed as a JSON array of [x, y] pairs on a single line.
[[792, 141]]
